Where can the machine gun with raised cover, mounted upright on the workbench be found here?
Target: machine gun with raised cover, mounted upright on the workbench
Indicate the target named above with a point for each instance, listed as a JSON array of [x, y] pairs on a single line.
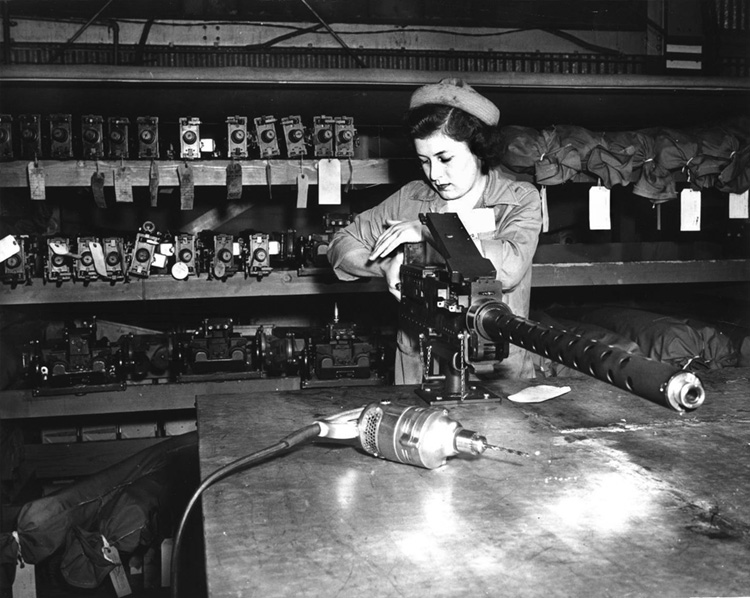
[[451, 300]]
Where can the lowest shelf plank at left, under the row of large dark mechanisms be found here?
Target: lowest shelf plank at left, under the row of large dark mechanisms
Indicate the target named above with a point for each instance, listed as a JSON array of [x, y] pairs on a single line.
[[20, 404]]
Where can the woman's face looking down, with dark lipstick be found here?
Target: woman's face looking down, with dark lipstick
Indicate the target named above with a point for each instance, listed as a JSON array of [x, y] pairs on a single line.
[[449, 165]]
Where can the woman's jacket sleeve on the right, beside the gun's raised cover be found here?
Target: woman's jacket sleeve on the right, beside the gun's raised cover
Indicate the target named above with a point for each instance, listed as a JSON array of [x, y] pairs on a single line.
[[516, 237]]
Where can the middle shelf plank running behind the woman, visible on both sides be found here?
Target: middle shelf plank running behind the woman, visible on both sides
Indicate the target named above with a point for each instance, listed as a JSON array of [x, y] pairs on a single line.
[[279, 283]]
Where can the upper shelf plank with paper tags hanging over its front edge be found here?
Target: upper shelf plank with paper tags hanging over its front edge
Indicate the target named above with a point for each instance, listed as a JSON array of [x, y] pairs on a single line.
[[77, 173]]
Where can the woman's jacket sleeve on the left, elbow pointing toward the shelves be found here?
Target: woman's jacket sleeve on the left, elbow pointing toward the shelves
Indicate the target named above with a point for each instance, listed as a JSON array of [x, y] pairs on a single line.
[[351, 246]]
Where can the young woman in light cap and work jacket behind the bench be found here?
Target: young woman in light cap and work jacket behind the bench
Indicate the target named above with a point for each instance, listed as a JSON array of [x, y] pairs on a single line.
[[454, 130]]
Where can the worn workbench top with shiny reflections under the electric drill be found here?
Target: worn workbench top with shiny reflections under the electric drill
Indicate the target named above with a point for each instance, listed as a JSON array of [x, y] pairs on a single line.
[[621, 497]]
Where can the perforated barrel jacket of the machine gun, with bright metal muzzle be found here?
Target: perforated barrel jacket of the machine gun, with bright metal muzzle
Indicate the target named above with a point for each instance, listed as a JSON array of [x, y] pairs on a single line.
[[656, 381]]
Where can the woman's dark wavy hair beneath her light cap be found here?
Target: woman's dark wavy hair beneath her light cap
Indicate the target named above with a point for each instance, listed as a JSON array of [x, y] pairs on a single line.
[[483, 140]]
